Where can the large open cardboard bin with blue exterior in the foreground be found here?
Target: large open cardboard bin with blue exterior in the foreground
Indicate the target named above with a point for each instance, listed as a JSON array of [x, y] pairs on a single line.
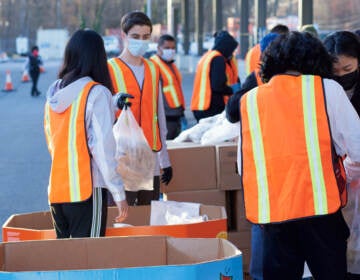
[[152, 257]]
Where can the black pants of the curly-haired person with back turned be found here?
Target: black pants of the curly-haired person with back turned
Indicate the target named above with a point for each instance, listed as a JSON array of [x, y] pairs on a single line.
[[320, 241]]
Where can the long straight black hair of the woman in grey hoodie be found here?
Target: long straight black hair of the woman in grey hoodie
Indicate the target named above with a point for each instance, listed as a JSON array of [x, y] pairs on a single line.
[[85, 56]]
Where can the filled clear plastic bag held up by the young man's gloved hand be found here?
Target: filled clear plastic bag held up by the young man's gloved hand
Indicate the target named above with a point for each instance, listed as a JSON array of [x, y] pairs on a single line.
[[136, 161]]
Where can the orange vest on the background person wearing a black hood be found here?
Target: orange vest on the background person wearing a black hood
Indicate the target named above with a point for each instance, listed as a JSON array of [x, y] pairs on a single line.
[[201, 96]]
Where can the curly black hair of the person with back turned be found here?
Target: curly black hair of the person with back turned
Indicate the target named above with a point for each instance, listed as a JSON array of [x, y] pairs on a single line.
[[296, 51]]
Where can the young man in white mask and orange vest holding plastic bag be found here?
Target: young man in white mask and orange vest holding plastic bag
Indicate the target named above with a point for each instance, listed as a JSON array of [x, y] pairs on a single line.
[[136, 82]]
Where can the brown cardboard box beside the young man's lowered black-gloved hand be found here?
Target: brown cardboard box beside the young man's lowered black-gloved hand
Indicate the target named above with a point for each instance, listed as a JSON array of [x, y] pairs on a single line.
[[194, 167]]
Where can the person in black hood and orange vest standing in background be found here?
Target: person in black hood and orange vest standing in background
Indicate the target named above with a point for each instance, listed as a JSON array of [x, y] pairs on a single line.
[[216, 78]]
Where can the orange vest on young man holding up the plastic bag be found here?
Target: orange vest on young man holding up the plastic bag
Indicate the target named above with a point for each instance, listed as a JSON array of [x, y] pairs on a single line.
[[144, 105]]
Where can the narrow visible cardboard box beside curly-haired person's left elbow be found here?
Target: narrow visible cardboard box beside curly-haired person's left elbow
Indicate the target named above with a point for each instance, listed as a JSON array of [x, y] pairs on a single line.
[[228, 177]]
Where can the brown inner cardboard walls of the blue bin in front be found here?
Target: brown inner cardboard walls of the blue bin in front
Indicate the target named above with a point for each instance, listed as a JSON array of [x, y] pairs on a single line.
[[111, 252]]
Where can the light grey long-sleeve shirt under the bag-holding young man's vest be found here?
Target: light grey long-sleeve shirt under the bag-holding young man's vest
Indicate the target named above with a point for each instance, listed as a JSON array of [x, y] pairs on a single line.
[[162, 157]]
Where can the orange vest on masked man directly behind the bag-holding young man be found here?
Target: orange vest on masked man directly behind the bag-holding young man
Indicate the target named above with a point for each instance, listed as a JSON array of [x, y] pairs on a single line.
[[171, 82]]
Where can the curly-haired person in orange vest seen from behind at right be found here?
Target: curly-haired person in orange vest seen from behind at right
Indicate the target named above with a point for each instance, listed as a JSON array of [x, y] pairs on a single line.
[[292, 129]]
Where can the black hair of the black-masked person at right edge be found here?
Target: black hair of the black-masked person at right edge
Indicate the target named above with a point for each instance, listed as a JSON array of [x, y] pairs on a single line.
[[343, 43]]
